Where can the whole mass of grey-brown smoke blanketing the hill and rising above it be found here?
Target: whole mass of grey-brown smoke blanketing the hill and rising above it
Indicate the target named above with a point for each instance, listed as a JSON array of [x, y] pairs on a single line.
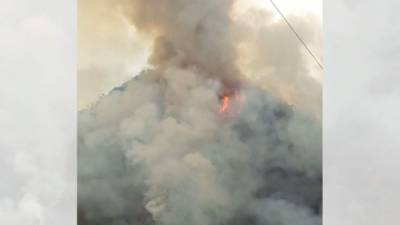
[[158, 151]]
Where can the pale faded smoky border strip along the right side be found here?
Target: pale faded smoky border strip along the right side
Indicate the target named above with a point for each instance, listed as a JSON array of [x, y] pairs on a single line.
[[361, 95]]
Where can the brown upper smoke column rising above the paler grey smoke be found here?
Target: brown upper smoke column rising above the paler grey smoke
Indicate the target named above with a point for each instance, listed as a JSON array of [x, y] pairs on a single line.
[[189, 33]]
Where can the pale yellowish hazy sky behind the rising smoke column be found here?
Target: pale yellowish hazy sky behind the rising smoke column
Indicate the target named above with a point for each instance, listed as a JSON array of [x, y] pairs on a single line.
[[110, 52]]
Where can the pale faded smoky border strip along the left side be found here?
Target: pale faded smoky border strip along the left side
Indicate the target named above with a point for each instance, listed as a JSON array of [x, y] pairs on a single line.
[[37, 112]]
